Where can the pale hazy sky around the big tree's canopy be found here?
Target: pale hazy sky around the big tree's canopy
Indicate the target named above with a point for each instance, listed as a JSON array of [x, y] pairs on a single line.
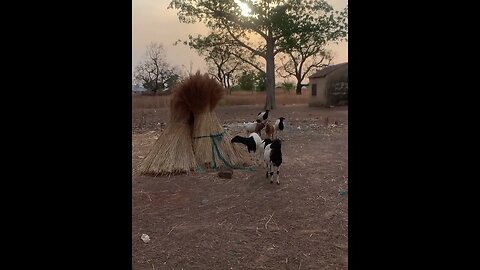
[[153, 22]]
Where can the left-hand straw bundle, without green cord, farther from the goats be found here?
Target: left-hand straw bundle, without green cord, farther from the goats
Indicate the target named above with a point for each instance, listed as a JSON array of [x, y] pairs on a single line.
[[172, 153]]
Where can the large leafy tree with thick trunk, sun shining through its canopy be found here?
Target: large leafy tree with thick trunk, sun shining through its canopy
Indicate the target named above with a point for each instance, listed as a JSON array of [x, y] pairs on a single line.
[[264, 32]]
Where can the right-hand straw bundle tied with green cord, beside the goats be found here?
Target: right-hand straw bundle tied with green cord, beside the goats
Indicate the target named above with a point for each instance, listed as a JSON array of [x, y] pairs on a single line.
[[211, 143]]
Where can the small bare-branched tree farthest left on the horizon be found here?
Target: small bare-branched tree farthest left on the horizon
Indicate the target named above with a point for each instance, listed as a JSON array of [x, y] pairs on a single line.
[[154, 73]]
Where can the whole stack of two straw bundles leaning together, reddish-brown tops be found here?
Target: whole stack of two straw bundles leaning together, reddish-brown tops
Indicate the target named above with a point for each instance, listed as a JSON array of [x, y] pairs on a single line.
[[194, 136]]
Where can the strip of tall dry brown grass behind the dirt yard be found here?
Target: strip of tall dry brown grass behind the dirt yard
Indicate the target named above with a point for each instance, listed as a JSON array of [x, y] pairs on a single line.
[[236, 98]]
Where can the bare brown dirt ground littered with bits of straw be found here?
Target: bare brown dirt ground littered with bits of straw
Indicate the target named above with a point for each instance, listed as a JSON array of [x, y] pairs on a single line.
[[201, 221]]
